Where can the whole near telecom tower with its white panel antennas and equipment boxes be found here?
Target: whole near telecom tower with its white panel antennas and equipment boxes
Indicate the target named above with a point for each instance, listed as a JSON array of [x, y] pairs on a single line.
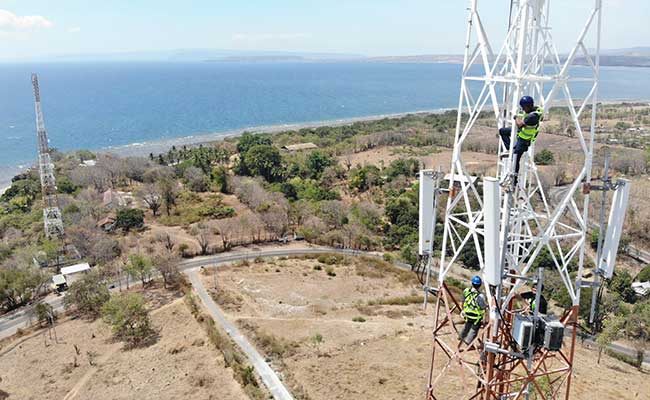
[[509, 222]]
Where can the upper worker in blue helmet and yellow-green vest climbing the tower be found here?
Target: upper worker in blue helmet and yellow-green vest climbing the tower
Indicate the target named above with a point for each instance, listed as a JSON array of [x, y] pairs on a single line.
[[527, 122]]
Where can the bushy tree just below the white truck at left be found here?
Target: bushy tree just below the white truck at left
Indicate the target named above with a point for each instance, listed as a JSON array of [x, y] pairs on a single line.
[[87, 296]]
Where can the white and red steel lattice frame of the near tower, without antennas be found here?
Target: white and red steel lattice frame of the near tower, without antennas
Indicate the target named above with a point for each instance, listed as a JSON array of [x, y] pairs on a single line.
[[528, 63]]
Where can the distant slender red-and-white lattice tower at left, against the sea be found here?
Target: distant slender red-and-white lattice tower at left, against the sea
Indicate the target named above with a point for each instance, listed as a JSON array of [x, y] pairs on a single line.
[[52, 217]]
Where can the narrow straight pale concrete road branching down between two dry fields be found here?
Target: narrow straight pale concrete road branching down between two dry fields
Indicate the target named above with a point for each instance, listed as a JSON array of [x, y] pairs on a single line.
[[269, 377]]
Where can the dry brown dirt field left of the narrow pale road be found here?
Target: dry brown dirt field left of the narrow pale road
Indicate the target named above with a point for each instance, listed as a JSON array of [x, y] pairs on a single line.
[[180, 365]]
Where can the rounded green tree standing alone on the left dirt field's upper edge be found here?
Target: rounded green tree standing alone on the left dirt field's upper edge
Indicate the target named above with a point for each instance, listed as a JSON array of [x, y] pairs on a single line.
[[129, 319]]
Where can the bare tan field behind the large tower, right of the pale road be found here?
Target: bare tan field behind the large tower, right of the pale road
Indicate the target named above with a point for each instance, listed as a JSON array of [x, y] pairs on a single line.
[[286, 305]]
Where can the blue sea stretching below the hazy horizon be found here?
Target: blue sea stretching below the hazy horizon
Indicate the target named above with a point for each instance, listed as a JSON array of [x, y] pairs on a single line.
[[148, 106]]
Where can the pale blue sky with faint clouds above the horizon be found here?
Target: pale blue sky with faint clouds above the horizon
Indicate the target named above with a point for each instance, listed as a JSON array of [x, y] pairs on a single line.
[[43, 28]]
